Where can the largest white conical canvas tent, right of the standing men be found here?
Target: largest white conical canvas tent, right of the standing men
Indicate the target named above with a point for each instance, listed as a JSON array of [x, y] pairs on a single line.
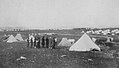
[[84, 44]]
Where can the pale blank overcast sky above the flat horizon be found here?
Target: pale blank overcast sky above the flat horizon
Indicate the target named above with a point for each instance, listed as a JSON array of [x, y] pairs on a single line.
[[59, 13]]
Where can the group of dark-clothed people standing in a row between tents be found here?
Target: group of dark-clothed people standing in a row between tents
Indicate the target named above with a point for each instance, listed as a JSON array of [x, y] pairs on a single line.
[[42, 42]]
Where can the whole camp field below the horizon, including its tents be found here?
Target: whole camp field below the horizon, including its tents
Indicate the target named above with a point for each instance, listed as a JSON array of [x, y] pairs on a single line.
[[72, 50]]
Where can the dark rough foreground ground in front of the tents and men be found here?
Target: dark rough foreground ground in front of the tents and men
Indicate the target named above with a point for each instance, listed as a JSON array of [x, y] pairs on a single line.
[[51, 58]]
